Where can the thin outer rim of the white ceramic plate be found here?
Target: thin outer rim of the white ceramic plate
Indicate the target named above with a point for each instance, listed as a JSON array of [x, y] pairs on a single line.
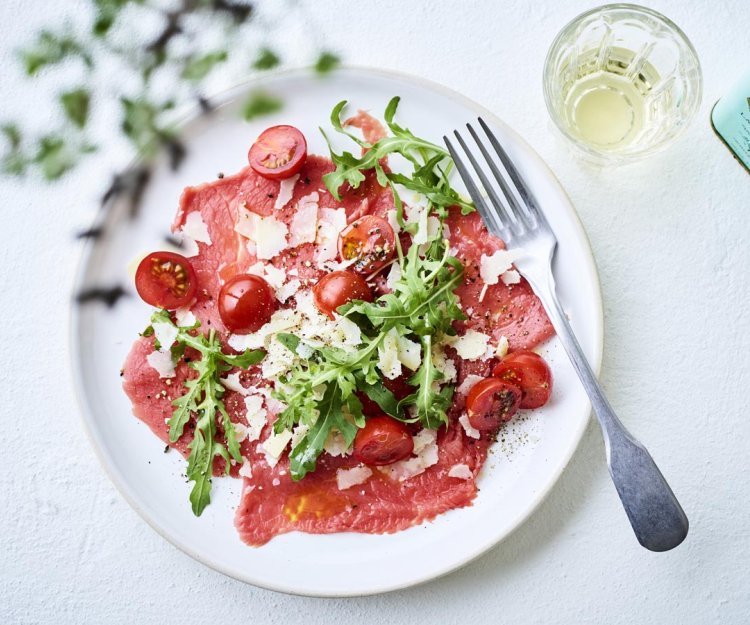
[[590, 269]]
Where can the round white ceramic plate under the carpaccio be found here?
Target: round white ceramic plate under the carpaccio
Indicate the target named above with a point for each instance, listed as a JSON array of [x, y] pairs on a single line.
[[518, 474]]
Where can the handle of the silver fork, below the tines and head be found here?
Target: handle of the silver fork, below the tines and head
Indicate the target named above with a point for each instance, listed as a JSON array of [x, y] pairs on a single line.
[[656, 516]]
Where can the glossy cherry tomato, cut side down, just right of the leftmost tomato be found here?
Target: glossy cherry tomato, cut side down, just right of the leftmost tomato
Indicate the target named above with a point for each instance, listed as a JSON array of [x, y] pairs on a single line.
[[246, 302]]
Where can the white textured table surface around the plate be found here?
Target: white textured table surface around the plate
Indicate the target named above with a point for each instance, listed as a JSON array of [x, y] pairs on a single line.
[[675, 362]]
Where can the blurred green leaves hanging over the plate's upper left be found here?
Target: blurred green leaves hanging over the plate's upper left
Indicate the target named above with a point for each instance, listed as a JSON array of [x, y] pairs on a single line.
[[146, 120]]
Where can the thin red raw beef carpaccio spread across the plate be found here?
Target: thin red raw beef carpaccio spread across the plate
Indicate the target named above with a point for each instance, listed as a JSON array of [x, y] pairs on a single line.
[[271, 502]]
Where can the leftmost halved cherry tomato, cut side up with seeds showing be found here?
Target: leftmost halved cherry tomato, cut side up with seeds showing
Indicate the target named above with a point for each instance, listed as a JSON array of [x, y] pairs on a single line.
[[166, 280]]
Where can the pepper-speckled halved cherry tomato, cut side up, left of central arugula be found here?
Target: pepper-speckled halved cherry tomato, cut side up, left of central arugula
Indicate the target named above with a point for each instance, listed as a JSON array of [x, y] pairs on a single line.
[[370, 240]]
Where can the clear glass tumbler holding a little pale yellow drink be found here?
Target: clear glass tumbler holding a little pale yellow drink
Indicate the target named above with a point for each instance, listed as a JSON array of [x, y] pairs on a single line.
[[621, 82]]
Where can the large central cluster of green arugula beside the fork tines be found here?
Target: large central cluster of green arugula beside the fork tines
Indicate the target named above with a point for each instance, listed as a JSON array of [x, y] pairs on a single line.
[[422, 306]]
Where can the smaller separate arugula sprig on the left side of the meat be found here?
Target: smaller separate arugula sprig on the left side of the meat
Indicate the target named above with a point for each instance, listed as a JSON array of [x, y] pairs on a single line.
[[203, 400]]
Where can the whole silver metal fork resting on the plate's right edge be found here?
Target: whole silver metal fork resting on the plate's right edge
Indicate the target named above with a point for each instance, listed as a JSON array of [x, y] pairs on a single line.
[[657, 518]]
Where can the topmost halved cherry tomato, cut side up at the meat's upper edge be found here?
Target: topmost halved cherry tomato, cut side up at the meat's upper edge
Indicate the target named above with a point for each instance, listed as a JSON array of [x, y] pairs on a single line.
[[279, 152]]
